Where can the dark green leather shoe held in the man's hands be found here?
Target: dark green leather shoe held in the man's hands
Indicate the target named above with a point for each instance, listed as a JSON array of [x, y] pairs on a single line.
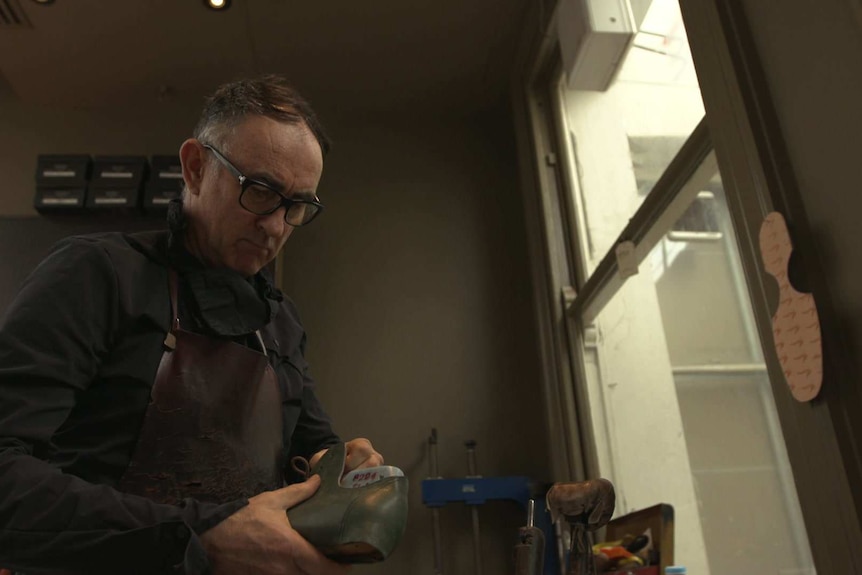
[[352, 525]]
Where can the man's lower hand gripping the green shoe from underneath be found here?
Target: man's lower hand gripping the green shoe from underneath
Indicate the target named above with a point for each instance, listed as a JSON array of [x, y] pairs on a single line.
[[259, 539]]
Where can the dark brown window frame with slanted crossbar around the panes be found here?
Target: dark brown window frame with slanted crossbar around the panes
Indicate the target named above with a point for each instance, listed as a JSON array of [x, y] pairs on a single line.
[[742, 129]]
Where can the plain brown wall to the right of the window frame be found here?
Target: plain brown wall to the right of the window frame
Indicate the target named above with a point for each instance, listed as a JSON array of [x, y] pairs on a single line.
[[812, 68]]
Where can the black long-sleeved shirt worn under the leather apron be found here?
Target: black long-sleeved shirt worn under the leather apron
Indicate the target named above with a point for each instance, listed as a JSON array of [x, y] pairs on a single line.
[[79, 350]]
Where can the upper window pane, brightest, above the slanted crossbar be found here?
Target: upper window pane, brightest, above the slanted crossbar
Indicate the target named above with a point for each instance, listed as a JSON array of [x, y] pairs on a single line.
[[622, 139]]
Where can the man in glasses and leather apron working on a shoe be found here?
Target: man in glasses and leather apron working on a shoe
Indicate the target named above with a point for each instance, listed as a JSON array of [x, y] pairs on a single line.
[[153, 387]]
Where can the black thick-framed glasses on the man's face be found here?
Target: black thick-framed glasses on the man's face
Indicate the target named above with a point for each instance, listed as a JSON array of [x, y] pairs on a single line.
[[262, 199]]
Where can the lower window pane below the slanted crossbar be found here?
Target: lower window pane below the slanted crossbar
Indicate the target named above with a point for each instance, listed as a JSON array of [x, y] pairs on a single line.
[[683, 408]]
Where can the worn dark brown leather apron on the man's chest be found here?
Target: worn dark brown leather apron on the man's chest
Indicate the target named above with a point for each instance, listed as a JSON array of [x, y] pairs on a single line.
[[213, 428]]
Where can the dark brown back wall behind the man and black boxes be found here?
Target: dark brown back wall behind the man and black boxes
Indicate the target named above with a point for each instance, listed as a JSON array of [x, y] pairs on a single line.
[[413, 288]]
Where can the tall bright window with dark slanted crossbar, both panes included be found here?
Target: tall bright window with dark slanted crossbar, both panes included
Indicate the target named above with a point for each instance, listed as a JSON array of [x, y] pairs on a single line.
[[672, 379]]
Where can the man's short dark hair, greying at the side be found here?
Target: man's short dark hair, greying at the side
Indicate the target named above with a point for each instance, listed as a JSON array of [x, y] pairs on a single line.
[[270, 95]]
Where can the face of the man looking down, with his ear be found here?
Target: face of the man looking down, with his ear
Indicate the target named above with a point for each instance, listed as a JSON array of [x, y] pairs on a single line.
[[222, 233]]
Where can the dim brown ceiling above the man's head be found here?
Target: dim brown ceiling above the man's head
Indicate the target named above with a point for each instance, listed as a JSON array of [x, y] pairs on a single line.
[[377, 56]]
